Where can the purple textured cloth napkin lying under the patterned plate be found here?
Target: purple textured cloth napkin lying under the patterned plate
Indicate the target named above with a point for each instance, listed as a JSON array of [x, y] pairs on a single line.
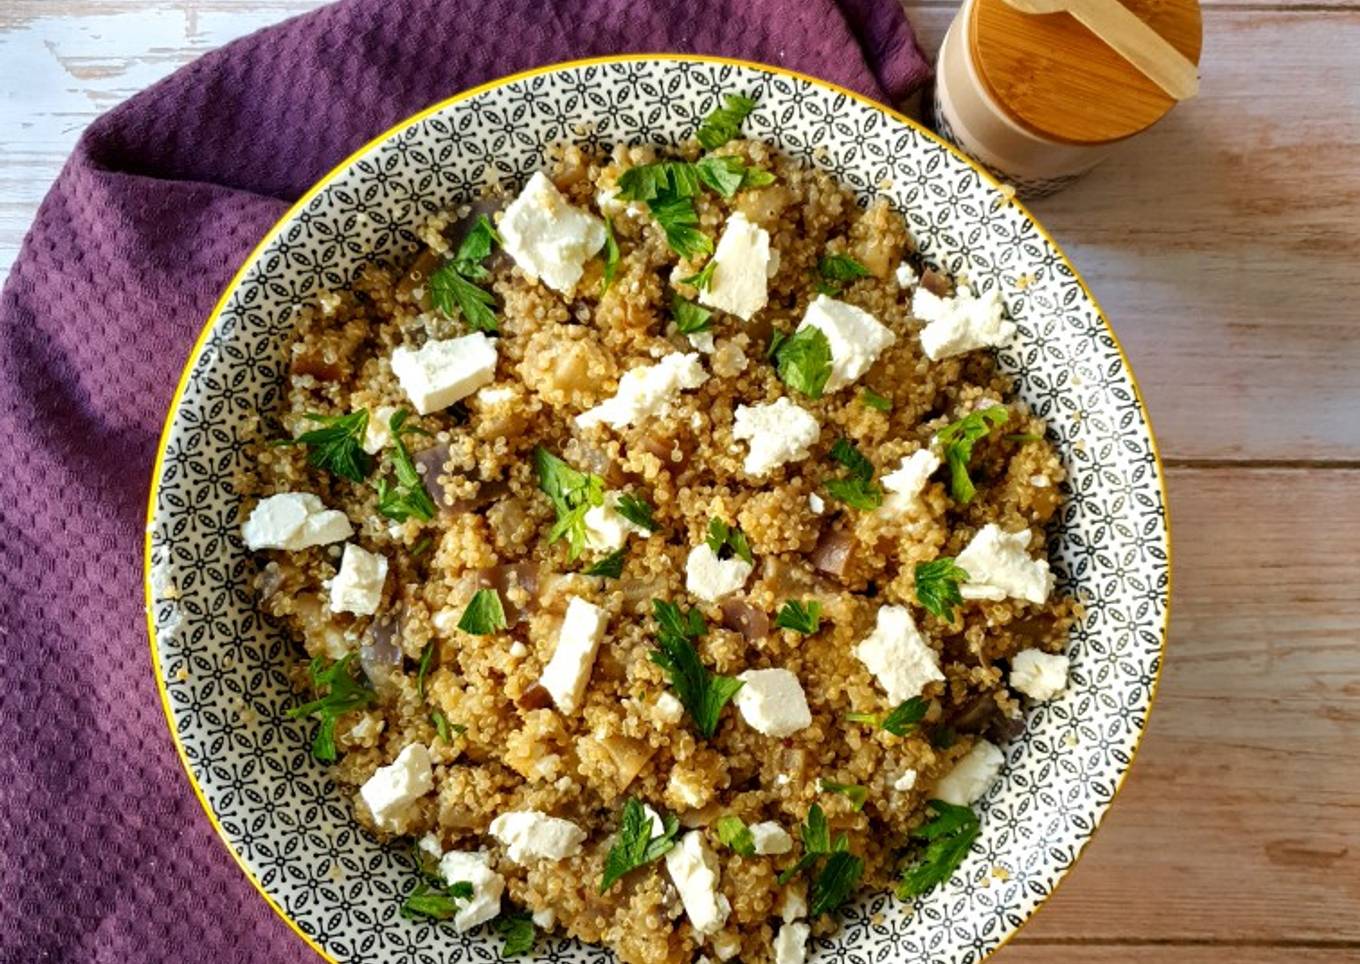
[[105, 856]]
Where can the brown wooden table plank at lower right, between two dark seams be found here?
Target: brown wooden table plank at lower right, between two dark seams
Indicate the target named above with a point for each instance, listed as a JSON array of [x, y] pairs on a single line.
[[1241, 821]]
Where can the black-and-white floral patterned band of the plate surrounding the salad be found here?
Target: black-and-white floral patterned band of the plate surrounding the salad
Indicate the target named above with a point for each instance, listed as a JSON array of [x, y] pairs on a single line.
[[224, 667]]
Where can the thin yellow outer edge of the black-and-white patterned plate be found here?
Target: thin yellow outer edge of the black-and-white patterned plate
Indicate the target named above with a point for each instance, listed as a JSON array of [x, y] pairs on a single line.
[[279, 226]]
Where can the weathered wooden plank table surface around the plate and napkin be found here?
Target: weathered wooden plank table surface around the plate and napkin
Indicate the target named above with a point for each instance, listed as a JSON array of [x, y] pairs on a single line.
[[1225, 247]]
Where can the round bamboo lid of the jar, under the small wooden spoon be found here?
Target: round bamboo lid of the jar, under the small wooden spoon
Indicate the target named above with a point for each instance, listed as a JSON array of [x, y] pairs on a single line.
[[1059, 81]]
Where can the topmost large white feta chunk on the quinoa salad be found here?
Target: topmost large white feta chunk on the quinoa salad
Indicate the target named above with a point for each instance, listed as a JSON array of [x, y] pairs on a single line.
[[547, 237]]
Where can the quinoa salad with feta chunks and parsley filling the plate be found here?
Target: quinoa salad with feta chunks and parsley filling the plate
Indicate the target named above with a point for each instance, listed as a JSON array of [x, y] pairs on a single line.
[[666, 554]]
